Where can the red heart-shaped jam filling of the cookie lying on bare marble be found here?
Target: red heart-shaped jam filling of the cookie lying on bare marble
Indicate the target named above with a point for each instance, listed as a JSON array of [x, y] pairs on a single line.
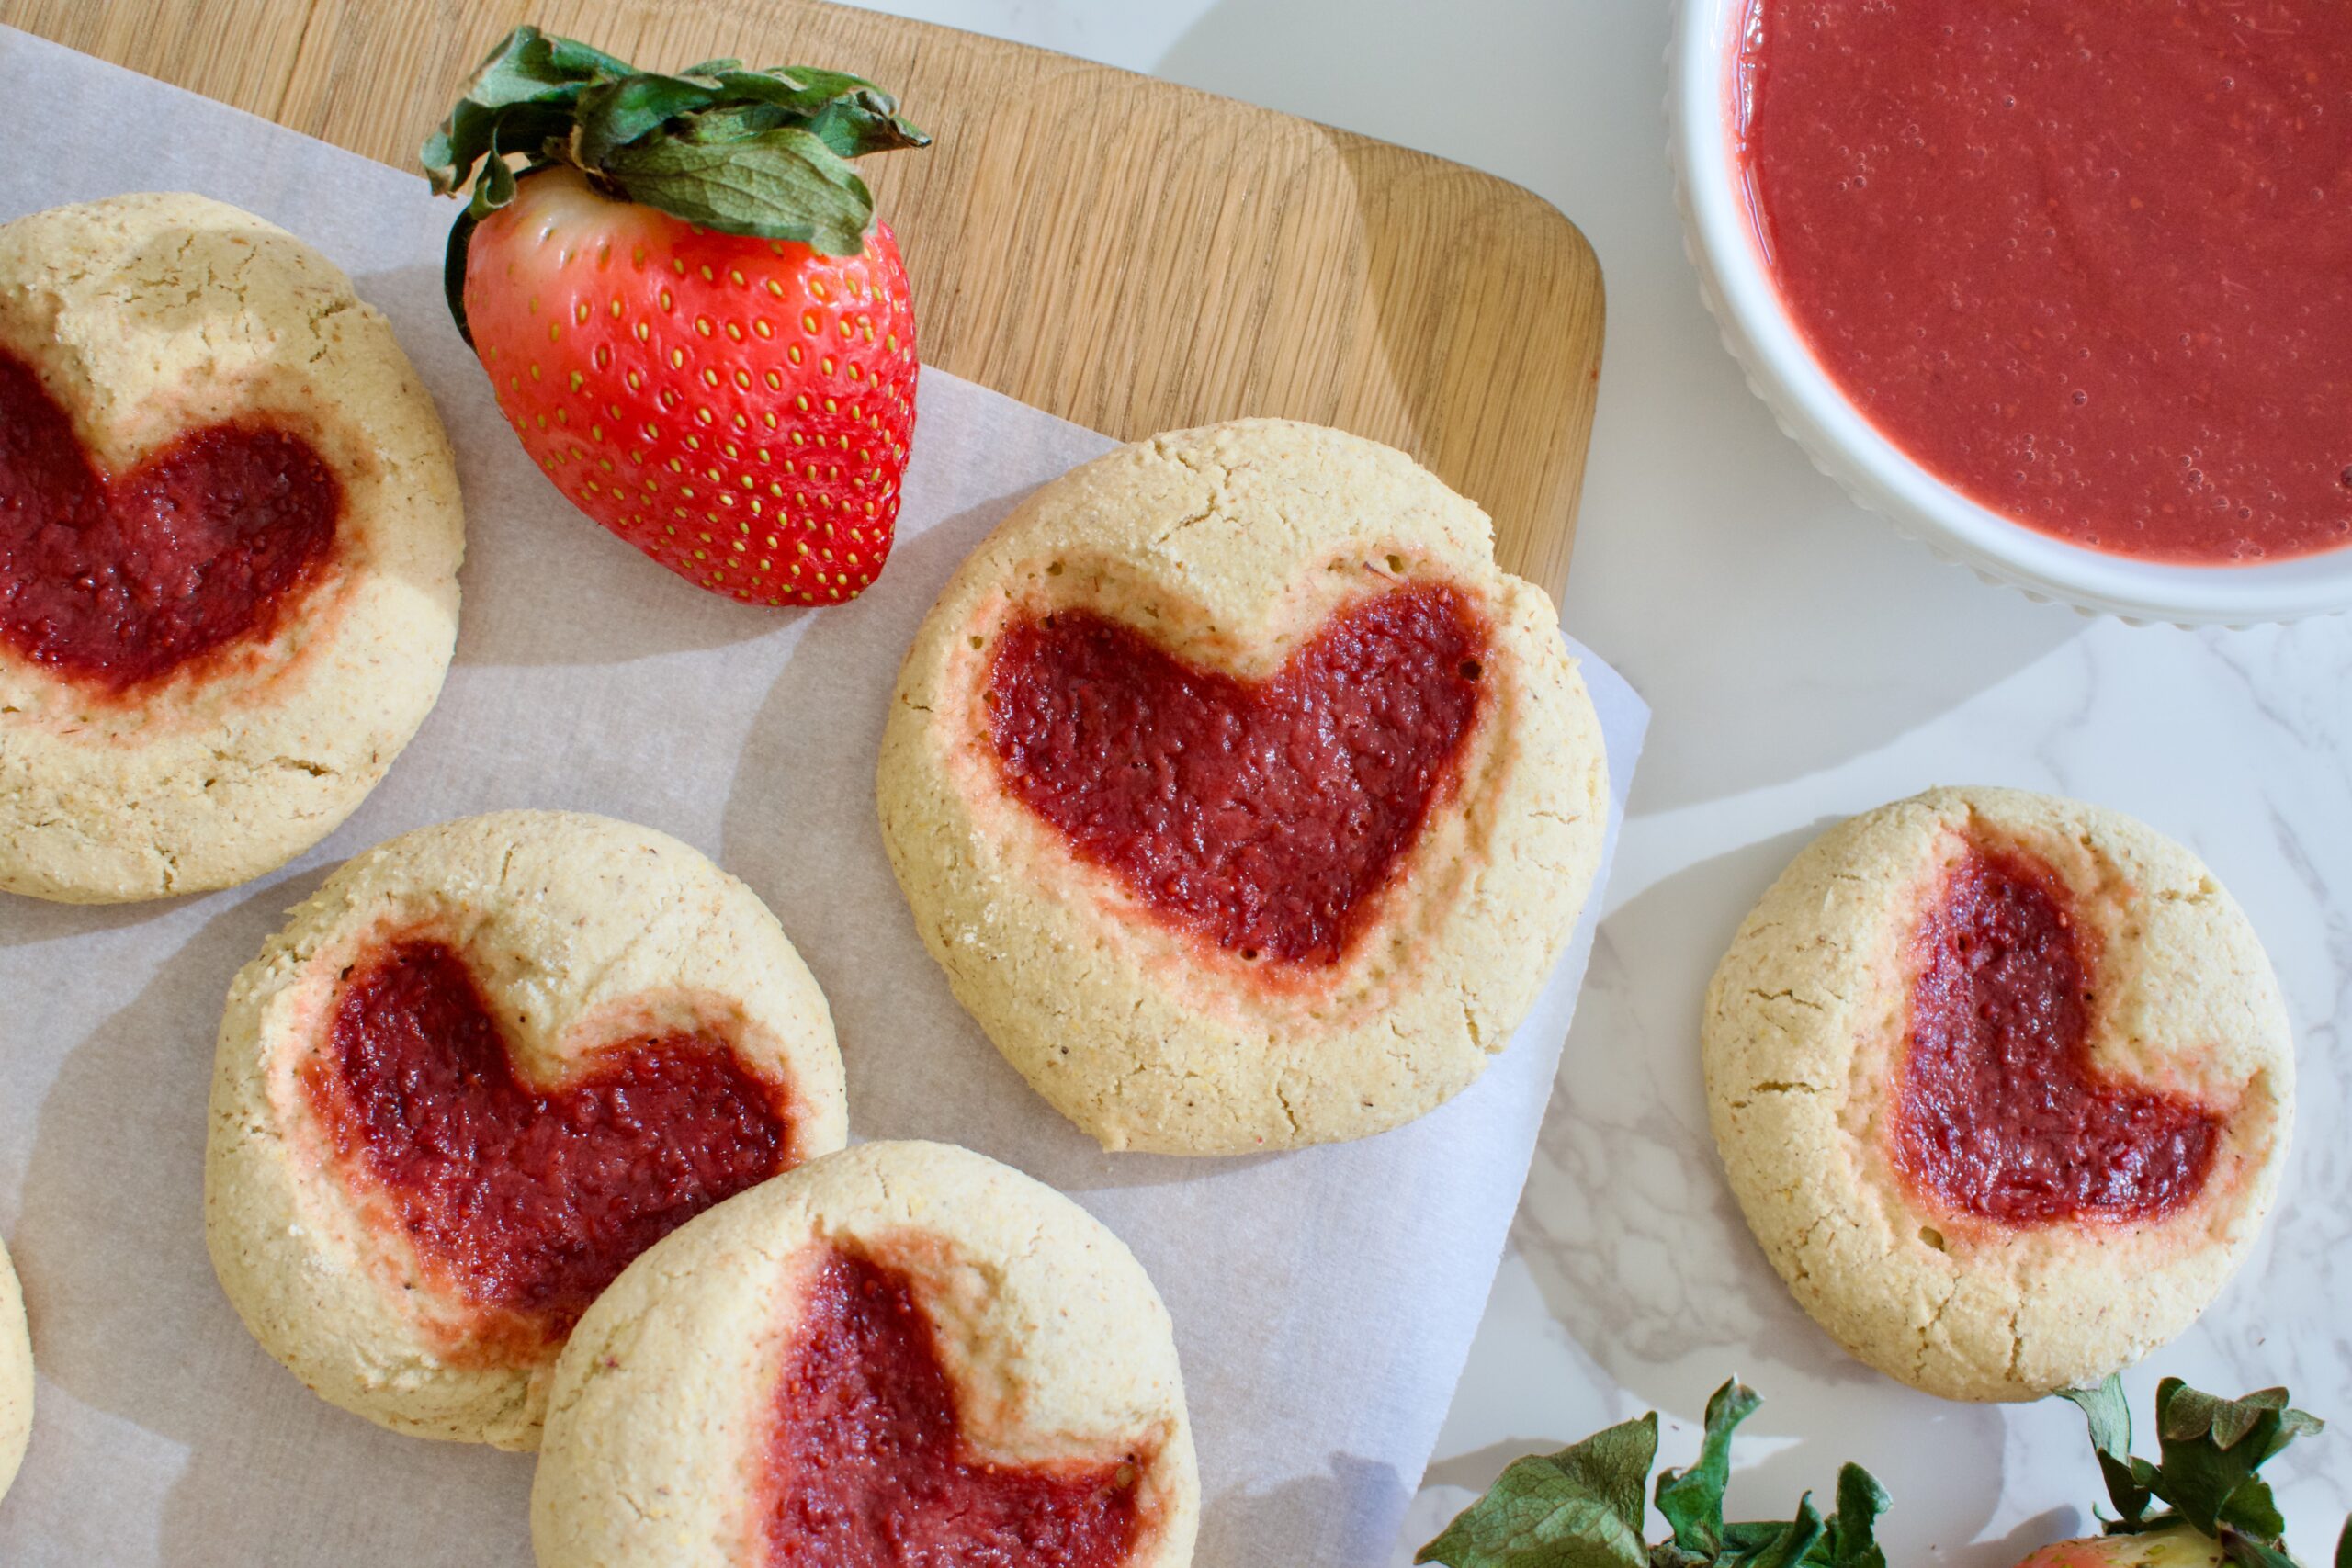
[[2000, 1111]]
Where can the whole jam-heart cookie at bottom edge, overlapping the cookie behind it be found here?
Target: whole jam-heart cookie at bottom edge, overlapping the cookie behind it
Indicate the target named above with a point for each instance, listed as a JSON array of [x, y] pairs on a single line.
[[895, 1355]]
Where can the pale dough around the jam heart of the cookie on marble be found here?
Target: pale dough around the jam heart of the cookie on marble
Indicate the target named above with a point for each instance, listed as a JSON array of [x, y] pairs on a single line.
[[1805, 1045]]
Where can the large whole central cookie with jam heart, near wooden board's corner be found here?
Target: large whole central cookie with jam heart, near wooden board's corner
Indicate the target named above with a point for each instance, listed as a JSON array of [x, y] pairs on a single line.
[[1241, 796]]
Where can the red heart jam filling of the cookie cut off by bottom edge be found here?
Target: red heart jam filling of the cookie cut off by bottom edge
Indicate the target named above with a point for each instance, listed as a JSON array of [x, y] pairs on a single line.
[[867, 1459]]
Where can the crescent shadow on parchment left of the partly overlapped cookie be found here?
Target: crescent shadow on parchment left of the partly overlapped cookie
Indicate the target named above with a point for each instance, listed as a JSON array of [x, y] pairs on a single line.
[[131, 1320]]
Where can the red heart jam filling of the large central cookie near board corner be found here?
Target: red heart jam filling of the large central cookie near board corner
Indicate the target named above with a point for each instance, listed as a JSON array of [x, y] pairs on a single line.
[[1262, 815]]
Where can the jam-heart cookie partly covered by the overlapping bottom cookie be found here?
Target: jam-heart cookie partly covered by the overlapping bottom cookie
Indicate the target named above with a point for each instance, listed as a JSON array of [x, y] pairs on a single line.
[[483, 1068]]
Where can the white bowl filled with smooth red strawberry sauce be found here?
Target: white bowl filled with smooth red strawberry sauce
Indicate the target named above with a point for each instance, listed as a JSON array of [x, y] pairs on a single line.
[[2064, 286]]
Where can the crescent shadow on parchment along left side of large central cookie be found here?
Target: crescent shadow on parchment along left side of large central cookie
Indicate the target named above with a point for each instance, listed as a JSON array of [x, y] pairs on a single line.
[[918, 1066]]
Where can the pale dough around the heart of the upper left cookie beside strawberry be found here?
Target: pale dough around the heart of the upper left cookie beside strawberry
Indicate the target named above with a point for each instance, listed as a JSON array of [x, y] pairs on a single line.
[[149, 316]]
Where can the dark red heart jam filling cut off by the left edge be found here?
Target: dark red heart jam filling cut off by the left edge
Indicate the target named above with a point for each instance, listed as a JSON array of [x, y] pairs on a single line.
[[126, 579]]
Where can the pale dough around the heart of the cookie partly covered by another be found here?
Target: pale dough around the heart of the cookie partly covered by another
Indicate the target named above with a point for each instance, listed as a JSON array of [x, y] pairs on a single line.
[[580, 932]]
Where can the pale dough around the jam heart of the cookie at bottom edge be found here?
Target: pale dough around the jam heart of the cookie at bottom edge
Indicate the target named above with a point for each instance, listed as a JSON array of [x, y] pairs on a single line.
[[1053, 1341]]
